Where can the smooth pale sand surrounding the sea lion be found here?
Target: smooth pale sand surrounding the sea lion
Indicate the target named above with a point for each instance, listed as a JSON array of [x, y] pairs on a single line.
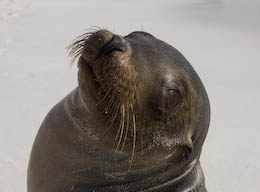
[[220, 38]]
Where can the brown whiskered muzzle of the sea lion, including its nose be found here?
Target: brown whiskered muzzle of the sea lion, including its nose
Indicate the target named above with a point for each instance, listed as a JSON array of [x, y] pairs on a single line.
[[105, 58]]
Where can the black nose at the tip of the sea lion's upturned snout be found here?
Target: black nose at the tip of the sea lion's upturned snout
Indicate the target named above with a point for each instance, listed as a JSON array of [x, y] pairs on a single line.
[[117, 43]]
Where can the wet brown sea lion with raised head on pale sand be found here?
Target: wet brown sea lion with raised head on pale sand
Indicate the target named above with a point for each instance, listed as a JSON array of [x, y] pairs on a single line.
[[136, 122]]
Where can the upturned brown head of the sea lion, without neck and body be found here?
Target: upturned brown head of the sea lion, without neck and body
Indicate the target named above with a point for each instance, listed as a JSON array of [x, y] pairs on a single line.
[[152, 100]]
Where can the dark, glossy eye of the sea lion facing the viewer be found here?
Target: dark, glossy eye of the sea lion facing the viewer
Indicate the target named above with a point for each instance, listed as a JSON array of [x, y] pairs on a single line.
[[171, 98]]
